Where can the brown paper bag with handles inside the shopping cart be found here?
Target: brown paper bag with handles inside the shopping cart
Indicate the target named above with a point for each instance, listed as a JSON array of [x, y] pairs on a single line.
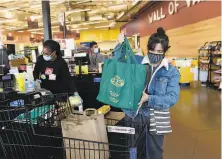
[[92, 129]]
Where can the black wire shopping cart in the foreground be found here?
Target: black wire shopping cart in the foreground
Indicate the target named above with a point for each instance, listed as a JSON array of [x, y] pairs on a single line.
[[33, 131]]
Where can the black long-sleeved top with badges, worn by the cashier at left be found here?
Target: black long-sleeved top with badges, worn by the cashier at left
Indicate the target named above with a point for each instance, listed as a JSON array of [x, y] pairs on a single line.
[[55, 75]]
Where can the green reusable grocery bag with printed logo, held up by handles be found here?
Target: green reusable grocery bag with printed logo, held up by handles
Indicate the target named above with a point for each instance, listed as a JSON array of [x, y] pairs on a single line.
[[123, 79]]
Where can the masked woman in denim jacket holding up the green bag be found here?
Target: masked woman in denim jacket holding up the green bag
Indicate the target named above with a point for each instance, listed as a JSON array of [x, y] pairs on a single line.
[[161, 93]]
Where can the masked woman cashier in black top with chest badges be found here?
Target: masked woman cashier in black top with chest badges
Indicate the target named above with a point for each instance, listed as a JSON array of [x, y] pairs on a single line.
[[51, 70]]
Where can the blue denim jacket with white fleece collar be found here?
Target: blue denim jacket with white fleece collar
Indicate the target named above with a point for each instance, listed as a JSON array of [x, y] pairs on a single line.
[[163, 89]]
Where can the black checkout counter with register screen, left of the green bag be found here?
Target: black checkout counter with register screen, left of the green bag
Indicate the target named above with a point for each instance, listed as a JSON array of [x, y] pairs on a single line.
[[88, 83]]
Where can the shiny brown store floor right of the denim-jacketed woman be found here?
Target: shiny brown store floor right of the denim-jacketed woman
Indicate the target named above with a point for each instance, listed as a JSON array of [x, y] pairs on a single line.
[[196, 121]]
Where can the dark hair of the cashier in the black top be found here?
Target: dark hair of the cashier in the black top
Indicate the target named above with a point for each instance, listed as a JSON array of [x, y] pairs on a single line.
[[53, 46]]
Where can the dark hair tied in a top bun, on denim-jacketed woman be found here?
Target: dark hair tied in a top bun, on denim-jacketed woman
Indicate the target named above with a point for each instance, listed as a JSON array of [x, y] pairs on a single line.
[[158, 37]]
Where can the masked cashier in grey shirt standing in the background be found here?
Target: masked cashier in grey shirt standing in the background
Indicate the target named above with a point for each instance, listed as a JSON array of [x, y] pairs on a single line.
[[95, 57]]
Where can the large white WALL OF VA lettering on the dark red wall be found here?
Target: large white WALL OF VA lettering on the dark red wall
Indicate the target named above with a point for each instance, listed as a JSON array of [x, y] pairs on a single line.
[[173, 6]]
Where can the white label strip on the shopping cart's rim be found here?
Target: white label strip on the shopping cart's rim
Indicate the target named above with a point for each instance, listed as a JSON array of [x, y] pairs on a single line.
[[121, 130]]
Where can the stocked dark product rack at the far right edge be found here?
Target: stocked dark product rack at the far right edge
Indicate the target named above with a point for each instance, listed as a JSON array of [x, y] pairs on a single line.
[[210, 54]]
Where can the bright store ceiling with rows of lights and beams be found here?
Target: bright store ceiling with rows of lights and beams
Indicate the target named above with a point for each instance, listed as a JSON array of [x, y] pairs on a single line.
[[80, 14]]
